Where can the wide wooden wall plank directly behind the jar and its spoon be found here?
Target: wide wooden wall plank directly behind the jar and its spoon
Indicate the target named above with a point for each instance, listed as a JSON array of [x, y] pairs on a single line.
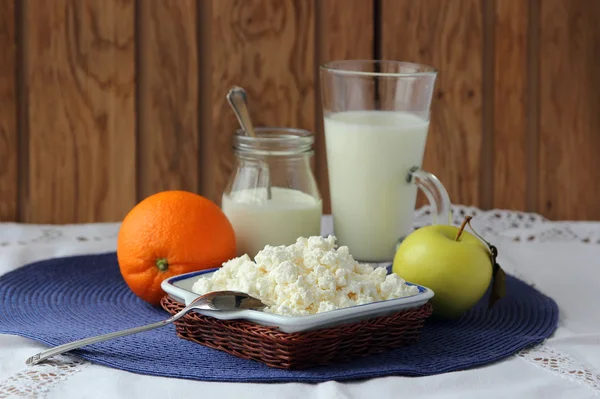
[[267, 47]]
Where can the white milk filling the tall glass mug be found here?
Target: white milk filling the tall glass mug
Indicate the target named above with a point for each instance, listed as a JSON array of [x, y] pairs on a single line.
[[369, 155]]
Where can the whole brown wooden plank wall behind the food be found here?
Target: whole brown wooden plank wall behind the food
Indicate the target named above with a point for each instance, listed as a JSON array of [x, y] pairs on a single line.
[[103, 102]]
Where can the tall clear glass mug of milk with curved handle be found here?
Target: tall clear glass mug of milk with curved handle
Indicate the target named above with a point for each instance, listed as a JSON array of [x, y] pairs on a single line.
[[376, 118]]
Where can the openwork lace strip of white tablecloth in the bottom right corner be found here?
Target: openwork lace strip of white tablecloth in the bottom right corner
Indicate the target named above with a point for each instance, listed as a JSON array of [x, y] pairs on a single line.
[[549, 359]]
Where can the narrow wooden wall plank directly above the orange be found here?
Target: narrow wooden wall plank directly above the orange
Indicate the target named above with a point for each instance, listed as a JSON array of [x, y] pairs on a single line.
[[167, 96]]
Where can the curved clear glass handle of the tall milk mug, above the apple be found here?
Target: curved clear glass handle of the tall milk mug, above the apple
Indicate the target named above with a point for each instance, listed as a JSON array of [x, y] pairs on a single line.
[[436, 194]]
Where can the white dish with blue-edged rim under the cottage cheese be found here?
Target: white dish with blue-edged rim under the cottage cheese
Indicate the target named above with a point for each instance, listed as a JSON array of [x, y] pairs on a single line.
[[180, 289]]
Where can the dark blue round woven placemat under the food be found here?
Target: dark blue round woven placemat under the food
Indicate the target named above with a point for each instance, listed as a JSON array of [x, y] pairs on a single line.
[[61, 300]]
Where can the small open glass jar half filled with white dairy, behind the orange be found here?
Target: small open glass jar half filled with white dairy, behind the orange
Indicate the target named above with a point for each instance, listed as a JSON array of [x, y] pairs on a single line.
[[272, 196]]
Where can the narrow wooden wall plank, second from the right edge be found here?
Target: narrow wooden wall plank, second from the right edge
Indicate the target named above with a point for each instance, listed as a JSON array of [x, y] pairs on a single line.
[[510, 104]]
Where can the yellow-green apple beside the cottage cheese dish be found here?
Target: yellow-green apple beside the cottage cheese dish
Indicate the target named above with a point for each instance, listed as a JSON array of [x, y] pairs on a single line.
[[459, 271]]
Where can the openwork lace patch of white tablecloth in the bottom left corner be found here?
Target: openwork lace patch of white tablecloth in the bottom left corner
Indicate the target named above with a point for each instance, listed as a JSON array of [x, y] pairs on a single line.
[[36, 381]]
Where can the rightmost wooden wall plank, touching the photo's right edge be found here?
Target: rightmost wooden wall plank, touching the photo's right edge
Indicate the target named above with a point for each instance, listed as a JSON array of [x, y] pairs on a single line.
[[569, 135]]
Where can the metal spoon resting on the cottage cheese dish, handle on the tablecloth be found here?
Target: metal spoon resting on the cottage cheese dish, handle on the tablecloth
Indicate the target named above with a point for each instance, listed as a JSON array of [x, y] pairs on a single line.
[[218, 300]]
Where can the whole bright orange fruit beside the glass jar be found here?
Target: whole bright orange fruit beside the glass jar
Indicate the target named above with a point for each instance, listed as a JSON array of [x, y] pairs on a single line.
[[171, 233]]
